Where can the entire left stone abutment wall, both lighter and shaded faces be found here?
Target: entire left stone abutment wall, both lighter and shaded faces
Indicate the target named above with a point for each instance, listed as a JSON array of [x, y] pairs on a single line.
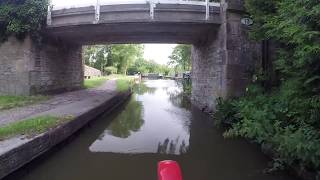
[[29, 68]]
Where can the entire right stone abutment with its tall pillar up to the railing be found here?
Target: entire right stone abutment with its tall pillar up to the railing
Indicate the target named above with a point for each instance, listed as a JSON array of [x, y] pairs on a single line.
[[222, 65]]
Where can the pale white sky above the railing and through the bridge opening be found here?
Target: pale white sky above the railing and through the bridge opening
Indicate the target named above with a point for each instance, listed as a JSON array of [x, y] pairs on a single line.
[[156, 52]]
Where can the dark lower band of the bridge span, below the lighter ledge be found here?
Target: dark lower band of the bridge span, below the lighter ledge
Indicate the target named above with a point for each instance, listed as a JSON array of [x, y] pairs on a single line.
[[181, 33]]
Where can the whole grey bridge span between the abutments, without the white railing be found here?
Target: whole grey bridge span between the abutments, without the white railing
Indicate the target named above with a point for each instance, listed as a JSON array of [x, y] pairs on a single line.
[[170, 23]]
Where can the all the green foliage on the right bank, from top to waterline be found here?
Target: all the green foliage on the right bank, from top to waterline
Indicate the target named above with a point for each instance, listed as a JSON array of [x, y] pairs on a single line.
[[286, 118]]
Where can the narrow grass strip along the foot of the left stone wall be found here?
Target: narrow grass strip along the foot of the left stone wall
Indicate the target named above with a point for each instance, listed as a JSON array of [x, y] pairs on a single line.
[[8, 102]]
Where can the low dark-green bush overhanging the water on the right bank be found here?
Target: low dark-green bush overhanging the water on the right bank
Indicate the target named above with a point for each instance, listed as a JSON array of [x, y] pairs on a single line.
[[285, 119]]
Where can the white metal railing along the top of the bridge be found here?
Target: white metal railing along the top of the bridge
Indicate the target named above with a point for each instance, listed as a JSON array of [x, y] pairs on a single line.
[[98, 3]]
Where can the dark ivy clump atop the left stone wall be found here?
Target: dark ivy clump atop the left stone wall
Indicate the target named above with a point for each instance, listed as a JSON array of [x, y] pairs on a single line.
[[22, 17]]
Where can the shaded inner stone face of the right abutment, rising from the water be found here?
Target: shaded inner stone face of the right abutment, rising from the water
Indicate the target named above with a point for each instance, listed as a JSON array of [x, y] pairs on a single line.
[[208, 73]]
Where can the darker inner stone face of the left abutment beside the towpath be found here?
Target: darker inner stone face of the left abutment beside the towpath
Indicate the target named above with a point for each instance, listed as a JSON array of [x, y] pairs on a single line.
[[56, 68]]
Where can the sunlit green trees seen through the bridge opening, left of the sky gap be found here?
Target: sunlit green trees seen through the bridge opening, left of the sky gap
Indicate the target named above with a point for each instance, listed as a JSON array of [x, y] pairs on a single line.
[[121, 58]]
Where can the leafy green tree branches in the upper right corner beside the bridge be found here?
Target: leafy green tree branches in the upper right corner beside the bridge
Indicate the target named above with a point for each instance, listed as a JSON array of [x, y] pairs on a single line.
[[295, 25]]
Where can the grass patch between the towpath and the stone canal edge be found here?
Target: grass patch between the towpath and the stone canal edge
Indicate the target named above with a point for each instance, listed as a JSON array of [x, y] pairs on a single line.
[[31, 127]]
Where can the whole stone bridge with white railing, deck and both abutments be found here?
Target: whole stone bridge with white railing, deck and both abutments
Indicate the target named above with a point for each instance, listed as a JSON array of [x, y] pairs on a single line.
[[222, 55]]
